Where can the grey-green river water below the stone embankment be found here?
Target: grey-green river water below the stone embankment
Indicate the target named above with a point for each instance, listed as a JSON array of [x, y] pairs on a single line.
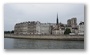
[[10, 43]]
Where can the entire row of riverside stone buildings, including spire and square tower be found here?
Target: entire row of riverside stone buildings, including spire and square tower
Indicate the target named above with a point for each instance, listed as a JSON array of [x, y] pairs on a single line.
[[35, 27]]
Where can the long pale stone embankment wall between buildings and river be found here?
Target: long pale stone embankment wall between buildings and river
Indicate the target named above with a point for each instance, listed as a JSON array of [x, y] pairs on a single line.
[[51, 37]]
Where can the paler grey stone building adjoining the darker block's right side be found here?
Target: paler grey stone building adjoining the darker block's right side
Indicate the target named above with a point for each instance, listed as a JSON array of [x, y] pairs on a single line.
[[43, 28]]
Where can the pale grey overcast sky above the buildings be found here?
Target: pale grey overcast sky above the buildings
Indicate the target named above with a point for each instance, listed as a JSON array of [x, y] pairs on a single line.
[[45, 13]]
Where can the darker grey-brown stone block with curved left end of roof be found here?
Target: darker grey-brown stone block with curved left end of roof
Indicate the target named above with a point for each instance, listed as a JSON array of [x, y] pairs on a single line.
[[25, 28]]
